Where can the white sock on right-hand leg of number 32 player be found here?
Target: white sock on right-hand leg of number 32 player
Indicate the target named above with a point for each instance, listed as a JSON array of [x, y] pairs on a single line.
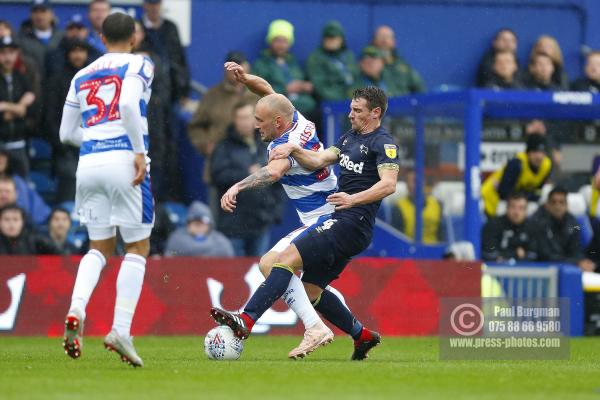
[[129, 288]]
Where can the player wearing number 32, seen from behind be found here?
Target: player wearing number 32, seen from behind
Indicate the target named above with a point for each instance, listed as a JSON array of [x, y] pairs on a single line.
[[102, 115]]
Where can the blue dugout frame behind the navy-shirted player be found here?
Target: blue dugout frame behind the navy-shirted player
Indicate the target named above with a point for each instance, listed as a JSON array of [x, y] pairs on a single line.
[[469, 108]]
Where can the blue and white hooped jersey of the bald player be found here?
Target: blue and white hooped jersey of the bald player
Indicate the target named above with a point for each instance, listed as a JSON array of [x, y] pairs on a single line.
[[308, 190]]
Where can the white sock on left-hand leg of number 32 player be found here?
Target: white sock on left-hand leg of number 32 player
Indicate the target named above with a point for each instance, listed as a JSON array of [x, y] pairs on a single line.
[[88, 274]]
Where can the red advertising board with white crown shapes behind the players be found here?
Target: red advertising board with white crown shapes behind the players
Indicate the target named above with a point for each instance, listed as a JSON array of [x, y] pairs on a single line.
[[395, 297]]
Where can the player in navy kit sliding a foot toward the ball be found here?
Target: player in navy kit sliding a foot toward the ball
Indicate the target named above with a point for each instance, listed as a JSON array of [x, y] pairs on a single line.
[[368, 173]]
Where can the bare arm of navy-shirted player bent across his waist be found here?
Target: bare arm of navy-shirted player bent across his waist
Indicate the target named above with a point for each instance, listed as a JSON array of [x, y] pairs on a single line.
[[385, 187]]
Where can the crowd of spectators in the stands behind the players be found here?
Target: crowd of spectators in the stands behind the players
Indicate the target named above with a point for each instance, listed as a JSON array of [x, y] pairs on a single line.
[[38, 60]]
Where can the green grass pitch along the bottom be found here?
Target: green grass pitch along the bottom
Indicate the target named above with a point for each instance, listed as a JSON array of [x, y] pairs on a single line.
[[176, 368]]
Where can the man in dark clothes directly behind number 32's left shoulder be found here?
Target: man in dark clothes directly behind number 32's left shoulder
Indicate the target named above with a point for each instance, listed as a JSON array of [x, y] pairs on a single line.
[[65, 156]]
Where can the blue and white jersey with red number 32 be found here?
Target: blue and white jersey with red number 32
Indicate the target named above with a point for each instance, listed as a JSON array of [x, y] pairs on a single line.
[[96, 91]]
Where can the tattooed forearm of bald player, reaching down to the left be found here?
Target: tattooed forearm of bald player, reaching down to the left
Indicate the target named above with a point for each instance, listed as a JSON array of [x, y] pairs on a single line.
[[265, 176]]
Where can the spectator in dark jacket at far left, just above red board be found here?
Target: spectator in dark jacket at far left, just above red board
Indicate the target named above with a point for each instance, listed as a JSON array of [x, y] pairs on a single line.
[[17, 239]]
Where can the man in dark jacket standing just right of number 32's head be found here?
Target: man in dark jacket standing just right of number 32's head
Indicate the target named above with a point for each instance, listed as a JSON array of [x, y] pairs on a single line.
[[162, 37]]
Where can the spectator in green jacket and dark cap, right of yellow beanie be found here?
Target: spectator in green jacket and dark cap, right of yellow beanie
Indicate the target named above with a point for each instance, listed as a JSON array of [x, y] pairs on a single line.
[[332, 67]]
